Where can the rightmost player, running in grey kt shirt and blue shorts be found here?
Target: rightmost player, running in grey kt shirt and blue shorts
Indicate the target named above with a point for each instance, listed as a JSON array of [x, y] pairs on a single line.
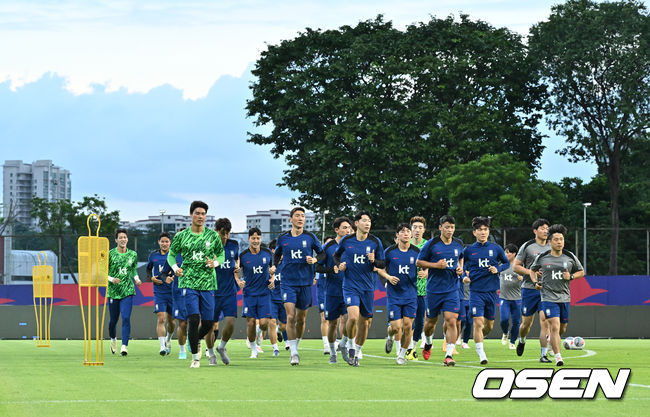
[[558, 268]]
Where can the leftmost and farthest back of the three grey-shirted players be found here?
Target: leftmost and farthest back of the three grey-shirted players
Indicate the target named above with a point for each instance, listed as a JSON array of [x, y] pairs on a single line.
[[510, 298]]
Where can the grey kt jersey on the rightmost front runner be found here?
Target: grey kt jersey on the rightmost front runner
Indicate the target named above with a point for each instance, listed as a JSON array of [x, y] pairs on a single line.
[[555, 288]]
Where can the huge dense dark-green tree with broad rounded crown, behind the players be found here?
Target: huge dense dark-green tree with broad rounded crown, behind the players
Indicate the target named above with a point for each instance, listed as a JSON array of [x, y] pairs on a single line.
[[365, 115]]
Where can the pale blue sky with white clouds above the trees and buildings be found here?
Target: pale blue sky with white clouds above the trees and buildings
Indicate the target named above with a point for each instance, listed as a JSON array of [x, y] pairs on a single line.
[[143, 101]]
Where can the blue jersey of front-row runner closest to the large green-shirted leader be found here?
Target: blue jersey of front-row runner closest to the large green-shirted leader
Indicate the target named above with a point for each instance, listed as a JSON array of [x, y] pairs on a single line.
[[293, 251]]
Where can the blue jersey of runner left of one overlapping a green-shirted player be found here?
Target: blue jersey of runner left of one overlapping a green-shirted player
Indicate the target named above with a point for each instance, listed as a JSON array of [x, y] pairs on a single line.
[[359, 273]]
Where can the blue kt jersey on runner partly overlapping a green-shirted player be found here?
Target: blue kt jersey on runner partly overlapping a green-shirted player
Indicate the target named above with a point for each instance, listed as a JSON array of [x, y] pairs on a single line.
[[402, 265]]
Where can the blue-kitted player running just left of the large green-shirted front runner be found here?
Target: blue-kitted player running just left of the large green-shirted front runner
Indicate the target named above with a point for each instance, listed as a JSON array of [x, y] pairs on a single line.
[[162, 276]]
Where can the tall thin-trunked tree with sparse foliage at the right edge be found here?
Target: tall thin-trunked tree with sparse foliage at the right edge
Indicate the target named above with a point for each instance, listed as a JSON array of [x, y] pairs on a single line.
[[595, 57]]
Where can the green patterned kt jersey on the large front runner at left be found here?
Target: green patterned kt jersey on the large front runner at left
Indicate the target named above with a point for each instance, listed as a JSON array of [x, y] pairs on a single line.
[[195, 250]]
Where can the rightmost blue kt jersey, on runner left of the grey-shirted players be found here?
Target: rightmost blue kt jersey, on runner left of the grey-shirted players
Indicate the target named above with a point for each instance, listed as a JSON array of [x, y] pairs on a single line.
[[478, 258]]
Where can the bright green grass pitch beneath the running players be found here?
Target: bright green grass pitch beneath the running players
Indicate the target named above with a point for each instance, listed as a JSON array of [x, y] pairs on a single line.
[[53, 382]]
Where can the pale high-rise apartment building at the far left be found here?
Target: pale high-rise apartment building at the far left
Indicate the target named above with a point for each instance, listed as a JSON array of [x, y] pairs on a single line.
[[23, 181]]
